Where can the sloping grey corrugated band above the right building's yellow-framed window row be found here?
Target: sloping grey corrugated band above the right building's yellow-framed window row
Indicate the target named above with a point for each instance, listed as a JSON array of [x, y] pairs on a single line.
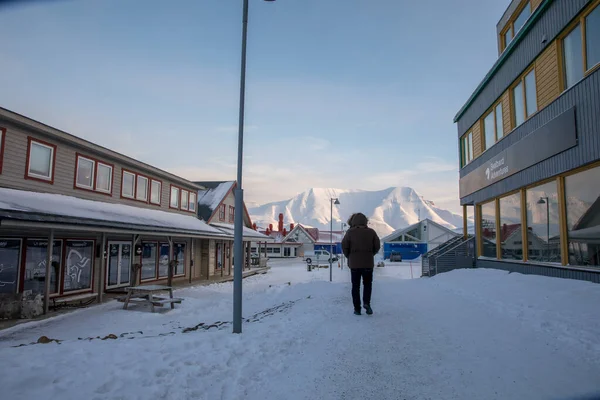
[[558, 14]]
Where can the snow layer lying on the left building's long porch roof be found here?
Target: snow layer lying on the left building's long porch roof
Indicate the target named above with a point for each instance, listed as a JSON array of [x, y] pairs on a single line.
[[82, 211]]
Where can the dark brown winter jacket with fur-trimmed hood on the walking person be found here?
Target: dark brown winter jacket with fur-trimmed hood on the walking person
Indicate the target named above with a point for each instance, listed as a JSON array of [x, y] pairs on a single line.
[[361, 243]]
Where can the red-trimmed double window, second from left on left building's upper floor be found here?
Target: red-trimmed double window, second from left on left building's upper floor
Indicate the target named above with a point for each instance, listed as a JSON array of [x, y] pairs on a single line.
[[92, 174]]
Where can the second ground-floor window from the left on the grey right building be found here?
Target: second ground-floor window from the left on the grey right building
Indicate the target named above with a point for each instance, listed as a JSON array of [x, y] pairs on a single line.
[[511, 237]]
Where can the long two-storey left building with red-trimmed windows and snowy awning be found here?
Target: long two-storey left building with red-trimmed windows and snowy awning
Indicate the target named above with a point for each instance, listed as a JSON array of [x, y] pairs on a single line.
[[78, 220]]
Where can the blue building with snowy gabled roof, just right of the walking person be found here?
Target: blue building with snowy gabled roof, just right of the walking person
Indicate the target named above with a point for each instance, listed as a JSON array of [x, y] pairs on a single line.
[[417, 239]]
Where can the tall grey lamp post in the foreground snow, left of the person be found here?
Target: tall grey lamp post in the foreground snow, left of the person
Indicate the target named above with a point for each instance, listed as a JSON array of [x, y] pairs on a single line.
[[238, 242]]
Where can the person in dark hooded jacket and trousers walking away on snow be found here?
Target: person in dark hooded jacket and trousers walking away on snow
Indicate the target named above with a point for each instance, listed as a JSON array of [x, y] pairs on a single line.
[[360, 244]]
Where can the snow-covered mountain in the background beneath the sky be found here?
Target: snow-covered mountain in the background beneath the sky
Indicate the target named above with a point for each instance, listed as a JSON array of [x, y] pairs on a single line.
[[388, 210]]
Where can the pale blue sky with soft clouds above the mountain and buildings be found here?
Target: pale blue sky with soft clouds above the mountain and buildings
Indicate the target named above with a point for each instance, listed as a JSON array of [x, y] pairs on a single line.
[[340, 93]]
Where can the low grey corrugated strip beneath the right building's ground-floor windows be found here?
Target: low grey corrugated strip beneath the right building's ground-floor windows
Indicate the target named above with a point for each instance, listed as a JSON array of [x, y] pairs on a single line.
[[530, 269]]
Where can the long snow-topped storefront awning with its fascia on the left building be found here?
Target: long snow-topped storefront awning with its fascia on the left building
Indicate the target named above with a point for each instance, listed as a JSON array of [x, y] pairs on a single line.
[[34, 208]]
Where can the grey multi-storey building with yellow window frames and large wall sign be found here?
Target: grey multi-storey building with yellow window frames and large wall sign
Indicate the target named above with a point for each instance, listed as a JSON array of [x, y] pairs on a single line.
[[529, 140]]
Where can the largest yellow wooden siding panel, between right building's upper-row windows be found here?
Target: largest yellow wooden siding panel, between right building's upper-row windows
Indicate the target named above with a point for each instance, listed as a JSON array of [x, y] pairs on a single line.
[[546, 73]]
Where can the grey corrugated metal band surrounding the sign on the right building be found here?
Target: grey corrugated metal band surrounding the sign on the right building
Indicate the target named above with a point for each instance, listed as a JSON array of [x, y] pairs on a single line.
[[585, 96]]
